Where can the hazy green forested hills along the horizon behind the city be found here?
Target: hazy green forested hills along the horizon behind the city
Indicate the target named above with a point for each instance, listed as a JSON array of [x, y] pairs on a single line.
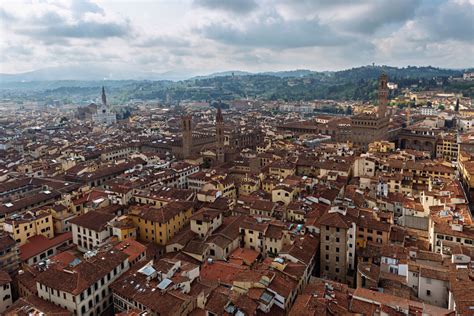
[[351, 84]]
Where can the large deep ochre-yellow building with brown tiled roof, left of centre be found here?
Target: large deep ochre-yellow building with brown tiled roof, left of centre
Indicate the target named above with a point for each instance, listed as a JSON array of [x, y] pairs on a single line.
[[158, 225]]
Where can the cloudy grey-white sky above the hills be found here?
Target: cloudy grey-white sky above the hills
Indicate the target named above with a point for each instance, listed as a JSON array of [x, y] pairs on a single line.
[[205, 36]]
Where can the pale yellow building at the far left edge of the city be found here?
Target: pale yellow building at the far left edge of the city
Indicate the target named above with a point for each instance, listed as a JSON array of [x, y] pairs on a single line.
[[29, 224]]
